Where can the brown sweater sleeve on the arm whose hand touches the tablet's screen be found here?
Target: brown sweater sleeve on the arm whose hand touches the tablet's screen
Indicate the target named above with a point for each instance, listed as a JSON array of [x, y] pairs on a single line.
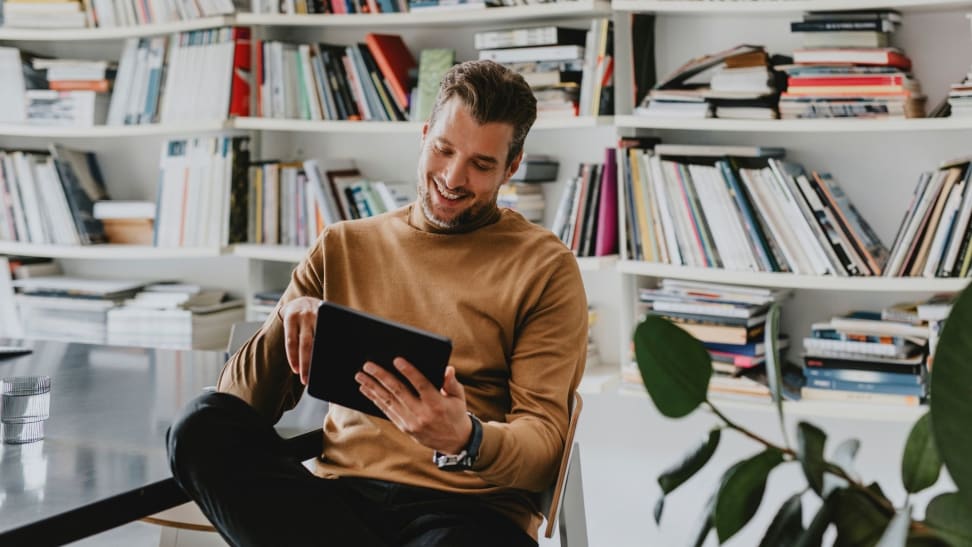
[[259, 373]]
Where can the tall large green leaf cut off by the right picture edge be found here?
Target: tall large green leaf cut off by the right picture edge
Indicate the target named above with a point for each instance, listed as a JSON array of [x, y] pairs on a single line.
[[951, 400]]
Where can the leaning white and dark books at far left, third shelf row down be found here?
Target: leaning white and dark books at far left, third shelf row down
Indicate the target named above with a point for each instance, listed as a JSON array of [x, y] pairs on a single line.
[[47, 197]]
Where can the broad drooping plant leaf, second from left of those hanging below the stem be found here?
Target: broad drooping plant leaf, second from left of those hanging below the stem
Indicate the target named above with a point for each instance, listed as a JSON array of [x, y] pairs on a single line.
[[741, 492]]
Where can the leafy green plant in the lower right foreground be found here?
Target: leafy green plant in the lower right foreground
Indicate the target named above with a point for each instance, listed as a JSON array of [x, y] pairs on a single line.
[[676, 369]]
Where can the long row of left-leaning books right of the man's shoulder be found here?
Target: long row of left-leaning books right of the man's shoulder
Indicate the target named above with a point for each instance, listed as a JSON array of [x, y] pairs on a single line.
[[708, 206]]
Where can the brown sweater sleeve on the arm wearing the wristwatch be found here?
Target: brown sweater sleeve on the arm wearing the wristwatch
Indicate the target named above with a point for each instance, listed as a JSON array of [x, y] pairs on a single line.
[[547, 363]]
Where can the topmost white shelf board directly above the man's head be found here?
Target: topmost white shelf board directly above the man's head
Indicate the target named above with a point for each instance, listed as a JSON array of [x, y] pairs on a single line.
[[559, 10]]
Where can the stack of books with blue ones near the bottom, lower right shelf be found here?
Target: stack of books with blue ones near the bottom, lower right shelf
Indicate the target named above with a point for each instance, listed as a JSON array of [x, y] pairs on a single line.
[[862, 357]]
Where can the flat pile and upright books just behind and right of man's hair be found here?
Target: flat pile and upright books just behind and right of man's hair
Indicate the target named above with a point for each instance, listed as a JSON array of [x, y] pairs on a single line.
[[569, 69]]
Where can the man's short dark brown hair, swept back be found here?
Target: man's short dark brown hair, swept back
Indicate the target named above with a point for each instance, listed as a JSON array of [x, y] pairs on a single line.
[[493, 93]]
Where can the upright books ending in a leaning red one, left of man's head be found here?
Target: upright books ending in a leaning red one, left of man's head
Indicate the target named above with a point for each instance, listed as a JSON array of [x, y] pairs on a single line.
[[365, 81]]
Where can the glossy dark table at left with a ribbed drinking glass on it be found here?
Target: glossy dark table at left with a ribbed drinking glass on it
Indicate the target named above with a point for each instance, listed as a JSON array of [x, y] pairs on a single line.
[[102, 462]]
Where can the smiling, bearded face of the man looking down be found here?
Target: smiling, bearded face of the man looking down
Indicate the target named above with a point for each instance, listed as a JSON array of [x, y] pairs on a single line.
[[462, 166]]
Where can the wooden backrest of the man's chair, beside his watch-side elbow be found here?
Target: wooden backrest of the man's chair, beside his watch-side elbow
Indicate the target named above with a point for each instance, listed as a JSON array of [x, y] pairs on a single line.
[[563, 503]]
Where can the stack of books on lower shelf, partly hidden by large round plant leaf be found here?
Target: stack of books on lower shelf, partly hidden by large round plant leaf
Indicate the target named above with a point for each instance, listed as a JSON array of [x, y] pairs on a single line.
[[731, 322]]
